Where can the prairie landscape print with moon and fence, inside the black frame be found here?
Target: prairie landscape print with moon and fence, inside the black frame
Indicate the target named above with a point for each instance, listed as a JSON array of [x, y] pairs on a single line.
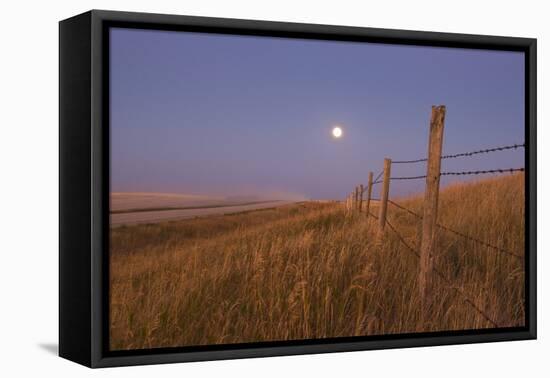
[[270, 189]]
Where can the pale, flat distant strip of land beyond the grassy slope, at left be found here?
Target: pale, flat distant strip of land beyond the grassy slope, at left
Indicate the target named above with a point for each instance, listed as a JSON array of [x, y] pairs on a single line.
[[135, 208]]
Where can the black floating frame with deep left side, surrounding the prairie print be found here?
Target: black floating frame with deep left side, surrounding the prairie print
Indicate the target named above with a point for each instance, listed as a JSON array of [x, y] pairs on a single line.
[[84, 187]]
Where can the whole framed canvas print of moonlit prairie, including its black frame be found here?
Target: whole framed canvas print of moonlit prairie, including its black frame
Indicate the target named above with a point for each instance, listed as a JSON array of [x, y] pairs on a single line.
[[234, 188]]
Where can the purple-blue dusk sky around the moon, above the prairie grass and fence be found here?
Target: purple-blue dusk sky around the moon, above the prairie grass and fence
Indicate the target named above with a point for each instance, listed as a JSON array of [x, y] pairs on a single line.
[[239, 115]]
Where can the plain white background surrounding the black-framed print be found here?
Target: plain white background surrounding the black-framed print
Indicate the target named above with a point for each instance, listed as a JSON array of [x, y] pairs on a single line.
[[29, 186]]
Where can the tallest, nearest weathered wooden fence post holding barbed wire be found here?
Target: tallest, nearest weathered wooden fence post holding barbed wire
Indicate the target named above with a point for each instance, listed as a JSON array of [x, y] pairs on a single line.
[[431, 196]]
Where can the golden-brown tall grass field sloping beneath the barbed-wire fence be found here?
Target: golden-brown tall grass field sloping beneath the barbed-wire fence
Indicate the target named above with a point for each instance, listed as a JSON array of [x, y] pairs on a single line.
[[310, 271]]
